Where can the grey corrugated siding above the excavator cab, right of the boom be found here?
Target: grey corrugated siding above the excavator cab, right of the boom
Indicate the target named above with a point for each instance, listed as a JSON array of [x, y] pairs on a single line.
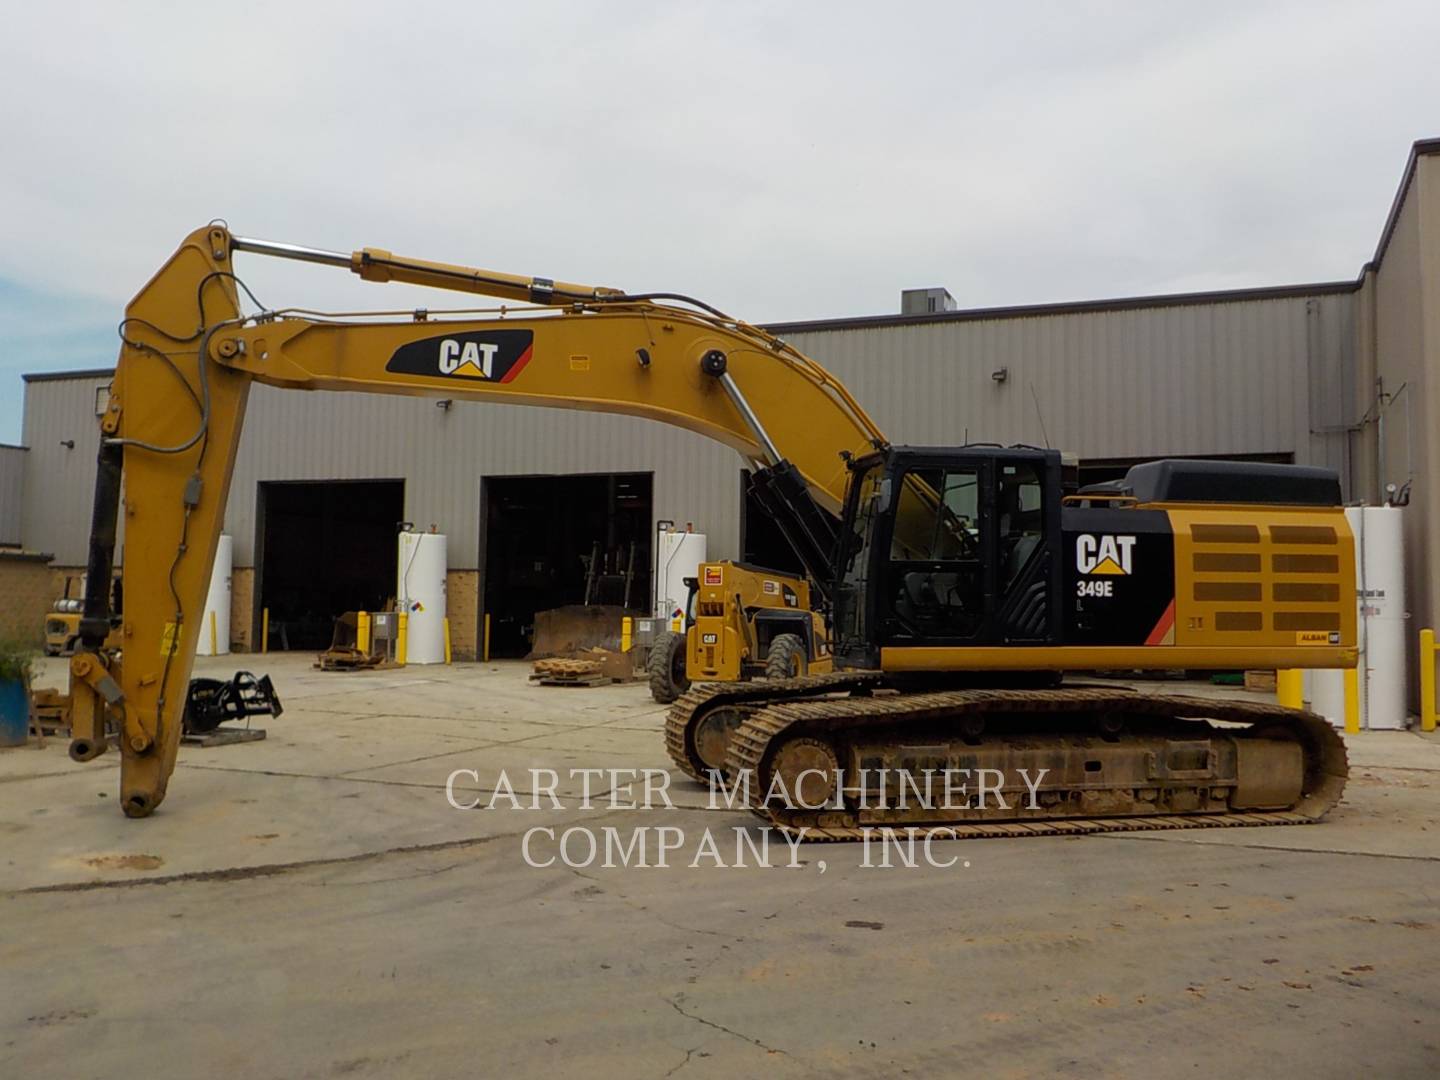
[[1187, 379]]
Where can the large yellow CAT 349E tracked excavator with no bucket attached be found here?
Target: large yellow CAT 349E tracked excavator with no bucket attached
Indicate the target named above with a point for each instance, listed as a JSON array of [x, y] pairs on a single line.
[[960, 582]]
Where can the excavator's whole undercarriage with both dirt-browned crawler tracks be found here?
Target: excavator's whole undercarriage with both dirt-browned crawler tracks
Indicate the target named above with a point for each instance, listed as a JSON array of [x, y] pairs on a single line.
[[842, 757]]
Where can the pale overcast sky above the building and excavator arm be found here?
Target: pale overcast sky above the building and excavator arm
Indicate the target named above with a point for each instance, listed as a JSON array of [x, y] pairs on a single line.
[[781, 161]]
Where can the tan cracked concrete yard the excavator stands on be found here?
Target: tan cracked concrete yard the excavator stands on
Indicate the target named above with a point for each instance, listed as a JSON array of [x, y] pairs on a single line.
[[313, 906]]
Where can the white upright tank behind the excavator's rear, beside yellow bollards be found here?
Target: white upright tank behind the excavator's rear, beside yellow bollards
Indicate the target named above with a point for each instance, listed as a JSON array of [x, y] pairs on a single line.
[[1380, 585]]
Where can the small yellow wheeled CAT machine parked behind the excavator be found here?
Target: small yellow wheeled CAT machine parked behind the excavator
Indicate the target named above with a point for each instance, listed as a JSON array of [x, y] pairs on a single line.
[[742, 623]]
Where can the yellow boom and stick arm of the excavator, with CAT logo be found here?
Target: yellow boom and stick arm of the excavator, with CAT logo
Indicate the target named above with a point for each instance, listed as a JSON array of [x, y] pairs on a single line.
[[186, 365]]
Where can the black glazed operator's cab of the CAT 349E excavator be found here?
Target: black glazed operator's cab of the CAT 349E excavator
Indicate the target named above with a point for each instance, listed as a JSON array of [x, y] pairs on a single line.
[[948, 546]]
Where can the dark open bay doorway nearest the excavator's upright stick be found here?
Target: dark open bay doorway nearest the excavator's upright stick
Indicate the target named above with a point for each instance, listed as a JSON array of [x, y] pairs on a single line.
[[325, 548]]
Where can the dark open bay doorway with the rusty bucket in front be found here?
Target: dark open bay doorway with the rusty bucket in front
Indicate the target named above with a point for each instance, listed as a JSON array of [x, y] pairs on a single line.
[[539, 535]]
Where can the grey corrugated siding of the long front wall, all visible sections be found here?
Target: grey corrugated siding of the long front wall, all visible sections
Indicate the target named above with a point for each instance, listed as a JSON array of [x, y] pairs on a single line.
[[1228, 378]]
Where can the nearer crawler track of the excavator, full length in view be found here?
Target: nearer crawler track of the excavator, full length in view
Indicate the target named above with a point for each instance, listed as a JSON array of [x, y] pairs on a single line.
[[1274, 754]]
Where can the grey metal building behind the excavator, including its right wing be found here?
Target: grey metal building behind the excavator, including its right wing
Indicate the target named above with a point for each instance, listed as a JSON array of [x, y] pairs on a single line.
[[1338, 374]]
